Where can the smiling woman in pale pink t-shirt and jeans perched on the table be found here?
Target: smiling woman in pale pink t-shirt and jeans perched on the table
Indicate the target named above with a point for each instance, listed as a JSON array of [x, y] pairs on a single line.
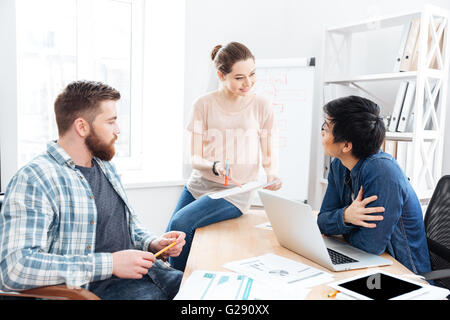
[[230, 128]]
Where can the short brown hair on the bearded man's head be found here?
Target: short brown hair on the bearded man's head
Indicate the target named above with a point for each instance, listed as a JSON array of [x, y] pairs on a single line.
[[81, 99]]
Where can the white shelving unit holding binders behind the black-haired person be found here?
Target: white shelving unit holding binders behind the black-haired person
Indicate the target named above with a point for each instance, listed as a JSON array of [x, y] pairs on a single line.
[[427, 135]]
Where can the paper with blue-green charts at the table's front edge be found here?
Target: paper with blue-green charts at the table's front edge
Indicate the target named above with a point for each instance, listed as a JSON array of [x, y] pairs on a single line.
[[212, 285]]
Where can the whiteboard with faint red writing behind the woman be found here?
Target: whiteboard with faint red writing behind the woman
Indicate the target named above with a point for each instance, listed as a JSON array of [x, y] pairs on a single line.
[[289, 84]]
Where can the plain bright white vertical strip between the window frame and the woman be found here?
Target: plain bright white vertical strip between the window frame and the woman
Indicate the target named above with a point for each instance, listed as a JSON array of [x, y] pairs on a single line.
[[163, 97]]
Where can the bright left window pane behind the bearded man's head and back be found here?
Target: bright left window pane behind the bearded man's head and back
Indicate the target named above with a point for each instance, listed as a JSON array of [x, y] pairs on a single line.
[[46, 62]]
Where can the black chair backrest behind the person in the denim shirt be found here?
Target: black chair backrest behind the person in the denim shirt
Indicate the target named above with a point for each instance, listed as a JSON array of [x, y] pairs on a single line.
[[437, 226]]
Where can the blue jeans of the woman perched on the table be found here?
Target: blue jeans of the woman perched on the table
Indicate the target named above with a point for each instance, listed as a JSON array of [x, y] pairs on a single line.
[[191, 214]]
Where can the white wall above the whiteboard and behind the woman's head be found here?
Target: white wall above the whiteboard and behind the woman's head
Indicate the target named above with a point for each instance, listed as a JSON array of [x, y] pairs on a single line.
[[277, 29]]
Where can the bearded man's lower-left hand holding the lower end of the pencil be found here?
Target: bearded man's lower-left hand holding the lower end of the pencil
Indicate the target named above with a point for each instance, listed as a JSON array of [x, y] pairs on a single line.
[[132, 264]]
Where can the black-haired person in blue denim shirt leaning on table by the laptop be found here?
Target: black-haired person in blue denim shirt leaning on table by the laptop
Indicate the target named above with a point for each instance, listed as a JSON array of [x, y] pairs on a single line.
[[369, 200]]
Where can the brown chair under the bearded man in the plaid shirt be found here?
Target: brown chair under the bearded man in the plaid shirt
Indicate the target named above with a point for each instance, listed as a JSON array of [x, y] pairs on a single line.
[[56, 292]]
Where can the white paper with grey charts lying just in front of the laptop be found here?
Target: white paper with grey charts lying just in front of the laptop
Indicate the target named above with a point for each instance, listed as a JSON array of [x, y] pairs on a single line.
[[280, 272]]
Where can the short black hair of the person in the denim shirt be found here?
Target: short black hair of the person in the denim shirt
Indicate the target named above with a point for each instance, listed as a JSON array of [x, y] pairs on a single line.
[[357, 120]]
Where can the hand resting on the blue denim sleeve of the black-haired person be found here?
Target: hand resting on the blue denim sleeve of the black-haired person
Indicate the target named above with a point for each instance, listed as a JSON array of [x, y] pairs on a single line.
[[357, 213]]
